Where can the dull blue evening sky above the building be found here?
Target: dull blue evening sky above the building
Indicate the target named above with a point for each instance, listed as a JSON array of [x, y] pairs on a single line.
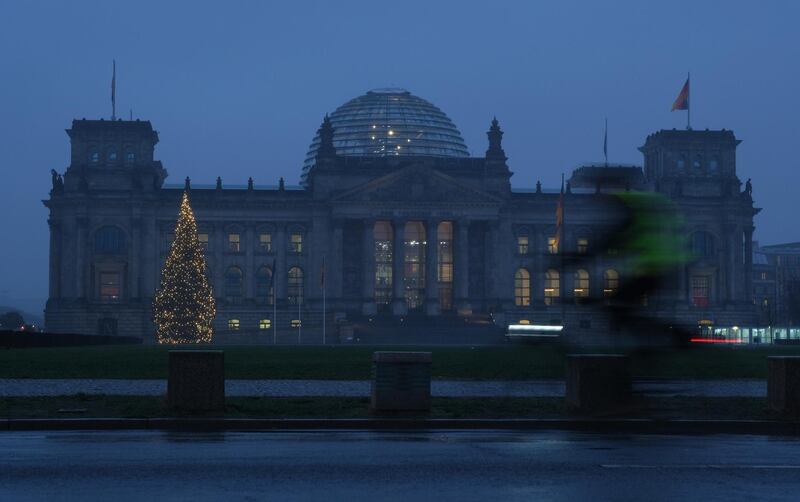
[[238, 89]]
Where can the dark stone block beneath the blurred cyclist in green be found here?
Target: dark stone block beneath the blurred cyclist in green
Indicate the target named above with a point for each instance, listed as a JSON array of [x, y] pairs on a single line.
[[597, 382]]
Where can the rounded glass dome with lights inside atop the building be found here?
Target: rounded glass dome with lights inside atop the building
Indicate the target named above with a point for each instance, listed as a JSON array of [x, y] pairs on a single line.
[[389, 122]]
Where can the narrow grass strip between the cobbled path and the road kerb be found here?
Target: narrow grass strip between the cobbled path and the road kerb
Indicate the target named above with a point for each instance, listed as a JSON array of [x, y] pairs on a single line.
[[83, 406]]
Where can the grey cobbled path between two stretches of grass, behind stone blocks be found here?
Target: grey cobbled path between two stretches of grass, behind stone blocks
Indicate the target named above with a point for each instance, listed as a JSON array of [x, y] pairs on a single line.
[[357, 388]]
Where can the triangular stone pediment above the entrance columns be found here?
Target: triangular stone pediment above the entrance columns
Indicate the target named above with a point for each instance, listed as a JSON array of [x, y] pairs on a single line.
[[417, 184]]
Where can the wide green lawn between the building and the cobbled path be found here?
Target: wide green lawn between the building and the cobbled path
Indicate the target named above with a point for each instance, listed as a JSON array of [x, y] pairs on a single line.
[[517, 362]]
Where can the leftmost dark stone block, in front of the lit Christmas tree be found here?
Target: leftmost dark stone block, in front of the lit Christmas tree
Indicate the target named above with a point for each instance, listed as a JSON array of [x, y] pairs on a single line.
[[196, 380]]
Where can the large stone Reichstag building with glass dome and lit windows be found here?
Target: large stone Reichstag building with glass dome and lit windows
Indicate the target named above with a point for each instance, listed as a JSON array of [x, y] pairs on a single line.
[[393, 222]]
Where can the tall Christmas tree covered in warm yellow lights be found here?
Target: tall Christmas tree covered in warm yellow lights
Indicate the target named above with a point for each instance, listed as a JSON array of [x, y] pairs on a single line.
[[183, 308]]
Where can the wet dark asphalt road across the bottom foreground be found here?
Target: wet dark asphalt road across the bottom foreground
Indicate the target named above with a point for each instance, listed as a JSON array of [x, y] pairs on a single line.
[[463, 466]]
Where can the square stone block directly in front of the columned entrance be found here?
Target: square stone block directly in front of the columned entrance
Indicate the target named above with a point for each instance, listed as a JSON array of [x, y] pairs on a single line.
[[401, 381]]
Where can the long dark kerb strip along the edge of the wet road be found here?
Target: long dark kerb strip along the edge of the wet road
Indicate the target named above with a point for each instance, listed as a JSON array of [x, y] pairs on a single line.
[[645, 426]]
